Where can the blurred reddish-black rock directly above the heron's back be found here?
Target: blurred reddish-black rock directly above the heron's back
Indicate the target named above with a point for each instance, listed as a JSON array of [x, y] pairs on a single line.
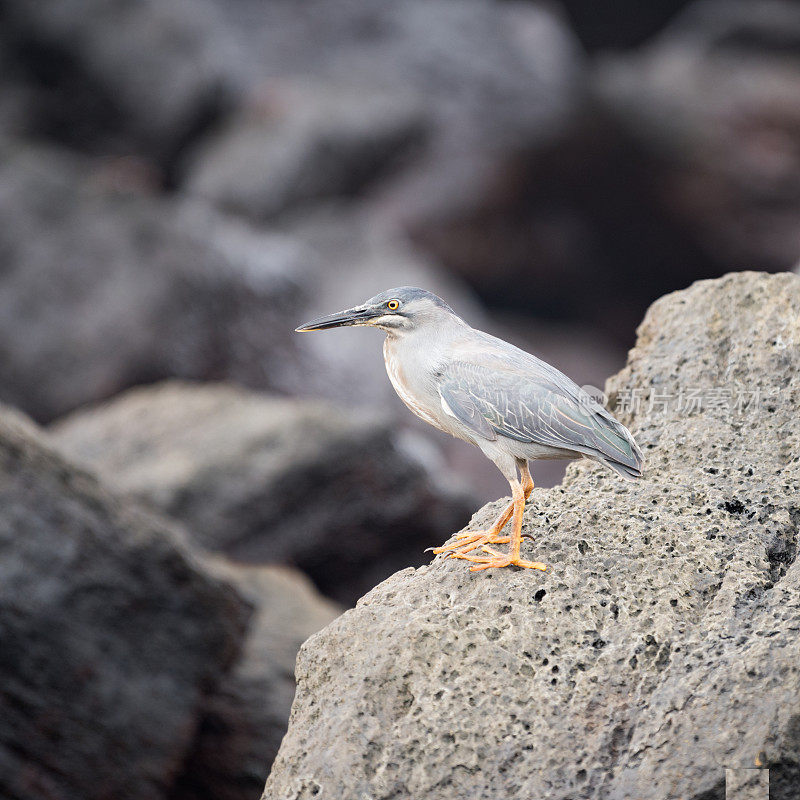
[[568, 233]]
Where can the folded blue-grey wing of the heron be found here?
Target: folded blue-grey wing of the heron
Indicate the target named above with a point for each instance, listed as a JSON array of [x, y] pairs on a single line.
[[534, 407]]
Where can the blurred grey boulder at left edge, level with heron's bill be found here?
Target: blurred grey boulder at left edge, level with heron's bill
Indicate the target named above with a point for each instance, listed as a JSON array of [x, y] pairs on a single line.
[[102, 288]]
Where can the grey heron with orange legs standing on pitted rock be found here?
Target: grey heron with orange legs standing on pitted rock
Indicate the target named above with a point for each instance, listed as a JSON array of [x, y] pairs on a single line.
[[474, 386]]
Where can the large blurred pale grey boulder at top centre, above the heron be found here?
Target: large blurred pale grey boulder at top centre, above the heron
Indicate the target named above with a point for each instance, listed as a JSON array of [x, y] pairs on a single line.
[[479, 78]]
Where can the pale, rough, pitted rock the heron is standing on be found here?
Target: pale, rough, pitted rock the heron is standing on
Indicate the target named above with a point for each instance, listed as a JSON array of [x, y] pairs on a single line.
[[661, 647]]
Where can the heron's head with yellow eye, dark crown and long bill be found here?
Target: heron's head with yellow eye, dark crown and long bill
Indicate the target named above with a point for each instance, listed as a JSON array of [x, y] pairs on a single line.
[[395, 311]]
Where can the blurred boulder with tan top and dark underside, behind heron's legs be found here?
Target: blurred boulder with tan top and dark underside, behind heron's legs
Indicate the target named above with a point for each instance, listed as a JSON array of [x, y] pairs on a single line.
[[340, 495]]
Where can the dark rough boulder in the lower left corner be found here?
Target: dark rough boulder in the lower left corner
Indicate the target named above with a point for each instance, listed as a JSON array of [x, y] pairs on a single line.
[[111, 634]]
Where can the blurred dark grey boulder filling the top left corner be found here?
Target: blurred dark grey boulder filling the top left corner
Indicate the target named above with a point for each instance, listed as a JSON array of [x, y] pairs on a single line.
[[127, 75]]
